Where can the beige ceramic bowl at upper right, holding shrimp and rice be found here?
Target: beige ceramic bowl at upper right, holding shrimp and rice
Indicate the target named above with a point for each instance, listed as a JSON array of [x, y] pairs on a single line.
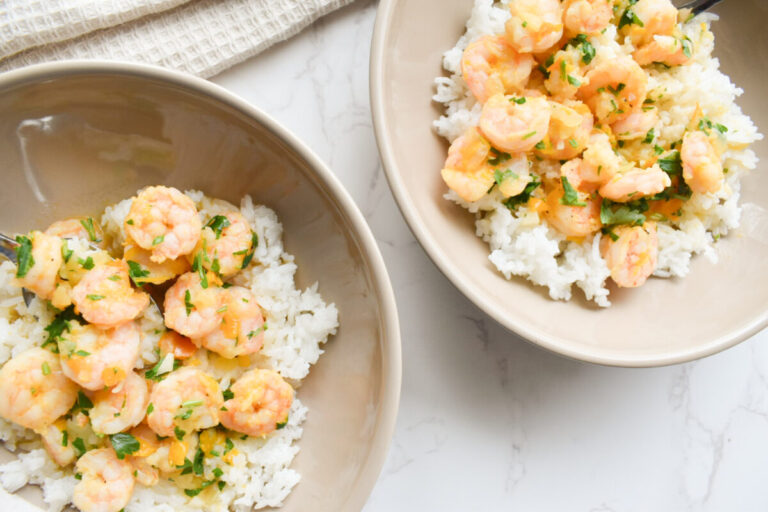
[[668, 320]]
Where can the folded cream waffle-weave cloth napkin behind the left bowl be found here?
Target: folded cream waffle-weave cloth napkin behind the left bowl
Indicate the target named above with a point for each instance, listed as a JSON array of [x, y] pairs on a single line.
[[202, 37]]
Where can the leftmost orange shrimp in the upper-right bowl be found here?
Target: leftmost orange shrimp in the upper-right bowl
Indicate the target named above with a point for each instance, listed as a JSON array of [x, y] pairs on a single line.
[[467, 171]]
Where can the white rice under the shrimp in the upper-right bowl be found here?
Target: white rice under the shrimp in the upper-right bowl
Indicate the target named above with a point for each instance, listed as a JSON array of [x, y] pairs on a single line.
[[521, 245]]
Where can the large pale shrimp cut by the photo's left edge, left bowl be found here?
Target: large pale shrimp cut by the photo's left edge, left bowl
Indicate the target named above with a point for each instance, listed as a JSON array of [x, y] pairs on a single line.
[[34, 390]]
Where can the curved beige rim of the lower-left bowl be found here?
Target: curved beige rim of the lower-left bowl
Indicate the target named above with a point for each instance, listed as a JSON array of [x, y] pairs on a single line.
[[391, 375]]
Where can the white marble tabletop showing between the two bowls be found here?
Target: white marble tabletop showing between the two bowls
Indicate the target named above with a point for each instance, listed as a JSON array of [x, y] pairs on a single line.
[[488, 422]]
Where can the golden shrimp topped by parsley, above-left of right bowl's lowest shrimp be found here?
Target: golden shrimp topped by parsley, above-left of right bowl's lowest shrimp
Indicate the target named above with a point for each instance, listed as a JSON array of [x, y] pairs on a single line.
[[573, 221]]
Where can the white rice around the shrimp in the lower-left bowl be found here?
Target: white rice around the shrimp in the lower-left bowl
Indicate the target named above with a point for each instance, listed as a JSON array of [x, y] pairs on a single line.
[[299, 322]]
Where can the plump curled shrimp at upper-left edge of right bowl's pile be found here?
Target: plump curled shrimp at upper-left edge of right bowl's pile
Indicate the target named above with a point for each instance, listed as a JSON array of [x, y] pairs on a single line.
[[491, 66]]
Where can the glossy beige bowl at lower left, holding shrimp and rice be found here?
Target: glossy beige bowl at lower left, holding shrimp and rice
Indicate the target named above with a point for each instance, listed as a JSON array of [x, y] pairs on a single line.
[[104, 129]]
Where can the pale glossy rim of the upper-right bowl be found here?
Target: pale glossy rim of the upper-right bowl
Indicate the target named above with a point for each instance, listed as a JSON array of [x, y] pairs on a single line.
[[455, 275]]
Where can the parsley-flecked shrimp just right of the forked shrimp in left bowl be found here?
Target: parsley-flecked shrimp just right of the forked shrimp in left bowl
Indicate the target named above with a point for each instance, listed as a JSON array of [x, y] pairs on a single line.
[[105, 297]]
